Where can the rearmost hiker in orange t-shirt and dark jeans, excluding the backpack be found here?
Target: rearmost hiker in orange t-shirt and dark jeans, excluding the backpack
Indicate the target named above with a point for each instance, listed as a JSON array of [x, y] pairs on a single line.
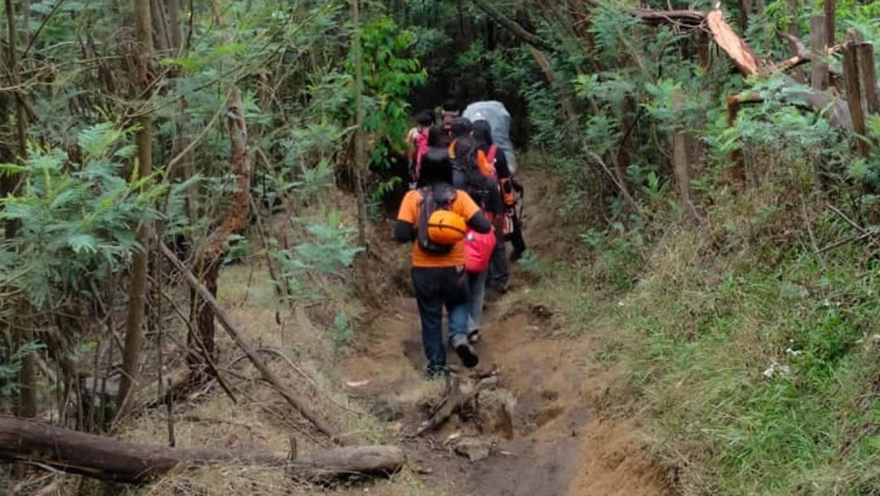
[[440, 279]]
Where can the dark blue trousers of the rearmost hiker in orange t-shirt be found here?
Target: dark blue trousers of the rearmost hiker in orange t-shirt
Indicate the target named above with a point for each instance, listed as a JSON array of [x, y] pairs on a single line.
[[437, 288]]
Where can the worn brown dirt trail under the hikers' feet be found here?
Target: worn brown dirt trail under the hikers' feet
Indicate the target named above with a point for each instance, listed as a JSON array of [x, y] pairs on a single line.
[[553, 443]]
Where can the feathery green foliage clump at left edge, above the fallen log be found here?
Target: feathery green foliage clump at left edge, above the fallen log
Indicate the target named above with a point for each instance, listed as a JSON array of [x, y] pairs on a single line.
[[77, 222]]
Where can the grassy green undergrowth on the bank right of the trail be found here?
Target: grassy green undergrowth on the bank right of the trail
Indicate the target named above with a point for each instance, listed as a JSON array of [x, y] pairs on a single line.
[[749, 352]]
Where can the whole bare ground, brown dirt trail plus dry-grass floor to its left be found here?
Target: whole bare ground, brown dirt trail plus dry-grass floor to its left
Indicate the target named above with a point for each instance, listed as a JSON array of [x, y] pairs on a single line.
[[548, 427]]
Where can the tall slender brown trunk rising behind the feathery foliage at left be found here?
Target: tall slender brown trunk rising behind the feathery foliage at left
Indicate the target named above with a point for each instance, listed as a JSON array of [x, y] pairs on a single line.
[[138, 280]]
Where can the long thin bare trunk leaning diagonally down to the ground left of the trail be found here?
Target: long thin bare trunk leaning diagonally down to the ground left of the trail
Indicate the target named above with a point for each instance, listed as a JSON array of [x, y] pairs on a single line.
[[251, 353]]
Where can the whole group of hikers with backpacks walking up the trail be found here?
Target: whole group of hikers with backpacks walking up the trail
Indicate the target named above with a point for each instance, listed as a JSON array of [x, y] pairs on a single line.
[[459, 214]]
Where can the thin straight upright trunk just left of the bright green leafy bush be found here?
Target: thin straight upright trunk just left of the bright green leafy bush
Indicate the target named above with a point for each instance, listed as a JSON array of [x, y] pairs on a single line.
[[360, 159]]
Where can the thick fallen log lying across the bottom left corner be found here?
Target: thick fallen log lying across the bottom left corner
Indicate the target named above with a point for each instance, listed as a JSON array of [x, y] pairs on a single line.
[[110, 459]]
